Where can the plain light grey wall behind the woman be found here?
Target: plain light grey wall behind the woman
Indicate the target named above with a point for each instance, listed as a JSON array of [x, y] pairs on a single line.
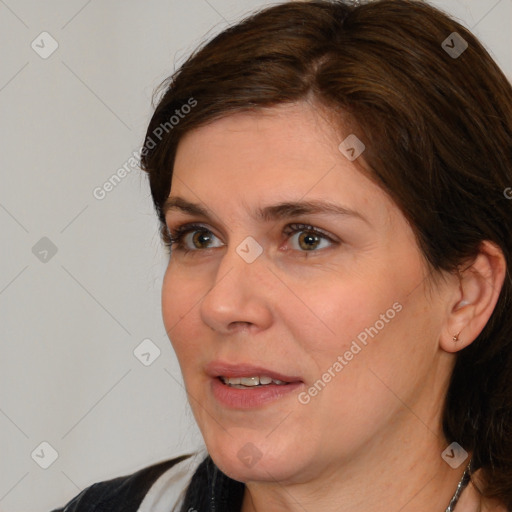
[[70, 321]]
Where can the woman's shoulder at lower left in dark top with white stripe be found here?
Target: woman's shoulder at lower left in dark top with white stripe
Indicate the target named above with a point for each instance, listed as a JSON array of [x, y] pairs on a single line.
[[154, 488]]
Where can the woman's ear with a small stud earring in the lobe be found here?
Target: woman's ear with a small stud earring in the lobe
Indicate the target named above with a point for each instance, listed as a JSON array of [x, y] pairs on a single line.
[[475, 298]]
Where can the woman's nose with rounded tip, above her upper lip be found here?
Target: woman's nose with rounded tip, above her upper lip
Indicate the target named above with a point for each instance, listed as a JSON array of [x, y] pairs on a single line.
[[240, 297]]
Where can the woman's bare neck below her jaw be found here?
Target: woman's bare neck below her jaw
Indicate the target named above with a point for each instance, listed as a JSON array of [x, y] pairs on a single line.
[[410, 475]]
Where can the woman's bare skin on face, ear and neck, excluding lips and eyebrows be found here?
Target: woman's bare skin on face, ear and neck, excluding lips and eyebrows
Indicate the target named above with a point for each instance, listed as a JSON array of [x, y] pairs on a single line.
[[371, 440]]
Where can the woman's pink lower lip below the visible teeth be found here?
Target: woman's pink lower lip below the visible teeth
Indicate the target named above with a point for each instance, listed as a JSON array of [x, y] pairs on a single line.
[[251, 397]]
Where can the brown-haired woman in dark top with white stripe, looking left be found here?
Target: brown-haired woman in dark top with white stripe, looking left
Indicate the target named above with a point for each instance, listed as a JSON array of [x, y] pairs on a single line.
[[333, 183]]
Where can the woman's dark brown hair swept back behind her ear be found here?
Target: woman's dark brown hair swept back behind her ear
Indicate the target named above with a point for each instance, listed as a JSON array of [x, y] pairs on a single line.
[[438, 134]]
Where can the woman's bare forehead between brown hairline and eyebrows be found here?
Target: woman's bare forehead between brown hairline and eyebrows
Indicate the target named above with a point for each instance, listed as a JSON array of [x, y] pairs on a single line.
[[267, 156]]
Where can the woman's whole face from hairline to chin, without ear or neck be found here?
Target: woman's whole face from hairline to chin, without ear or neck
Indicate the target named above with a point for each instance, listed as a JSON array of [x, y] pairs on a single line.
[[343, 315]]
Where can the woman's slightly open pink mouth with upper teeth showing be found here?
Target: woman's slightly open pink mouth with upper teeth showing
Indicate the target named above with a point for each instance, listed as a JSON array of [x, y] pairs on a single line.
[[245, 386]]
